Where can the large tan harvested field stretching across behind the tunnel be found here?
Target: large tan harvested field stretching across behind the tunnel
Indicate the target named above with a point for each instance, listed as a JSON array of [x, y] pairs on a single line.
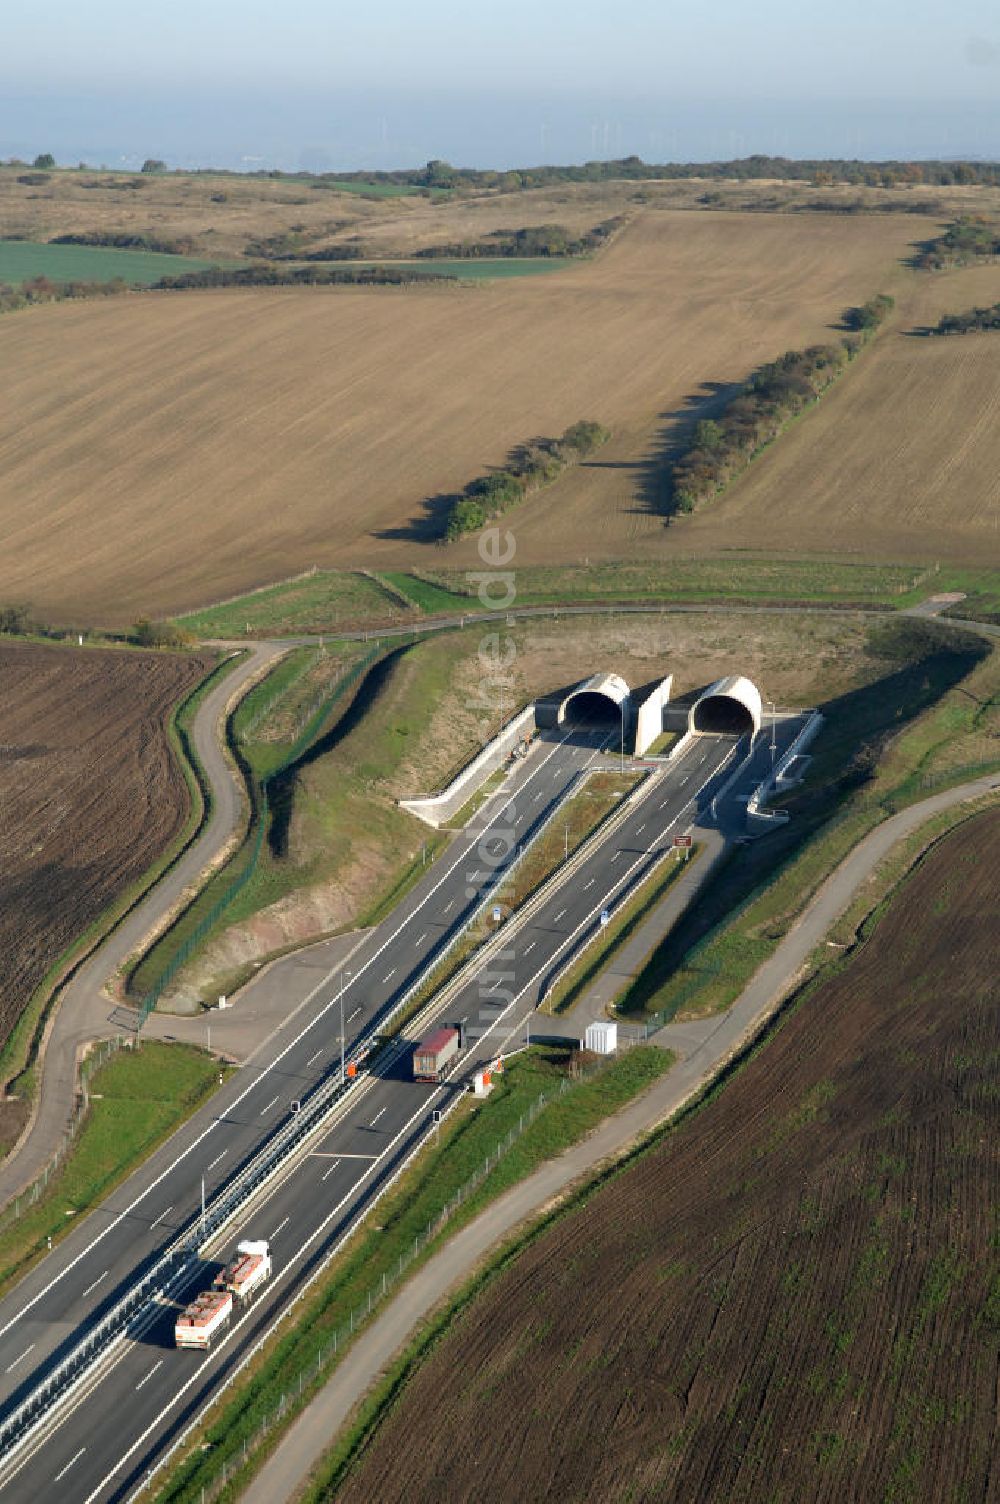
[[220, 441]]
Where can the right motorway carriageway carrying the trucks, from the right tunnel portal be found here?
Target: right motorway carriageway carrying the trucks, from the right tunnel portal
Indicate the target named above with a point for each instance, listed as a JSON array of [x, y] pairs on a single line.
[[320, 1199]]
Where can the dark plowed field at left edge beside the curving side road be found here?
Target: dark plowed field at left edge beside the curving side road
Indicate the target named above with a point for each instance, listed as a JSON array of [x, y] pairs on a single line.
[[89, 792]]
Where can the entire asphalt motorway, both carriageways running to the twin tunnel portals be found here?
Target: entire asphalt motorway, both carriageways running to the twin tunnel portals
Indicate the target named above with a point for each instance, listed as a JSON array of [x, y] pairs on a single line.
[[105, 1448]]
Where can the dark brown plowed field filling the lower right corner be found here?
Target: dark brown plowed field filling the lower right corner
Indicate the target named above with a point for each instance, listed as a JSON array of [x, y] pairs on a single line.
[[795, 1297]]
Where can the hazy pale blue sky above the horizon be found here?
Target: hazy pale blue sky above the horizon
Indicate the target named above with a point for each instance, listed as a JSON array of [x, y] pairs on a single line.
[[326, 85]]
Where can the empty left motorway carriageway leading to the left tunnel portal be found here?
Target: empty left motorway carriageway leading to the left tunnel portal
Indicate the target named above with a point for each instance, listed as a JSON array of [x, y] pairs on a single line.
[[85, 1273]]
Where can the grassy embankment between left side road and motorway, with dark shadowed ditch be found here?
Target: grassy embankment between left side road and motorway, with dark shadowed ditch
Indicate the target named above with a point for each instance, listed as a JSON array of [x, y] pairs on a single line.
[[332, 820]]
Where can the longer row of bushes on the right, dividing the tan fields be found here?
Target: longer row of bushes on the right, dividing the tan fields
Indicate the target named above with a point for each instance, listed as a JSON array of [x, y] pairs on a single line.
[[724, 447]]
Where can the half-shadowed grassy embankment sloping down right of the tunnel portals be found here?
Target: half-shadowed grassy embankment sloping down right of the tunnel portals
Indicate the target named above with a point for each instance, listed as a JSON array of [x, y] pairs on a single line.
[[930, 723]]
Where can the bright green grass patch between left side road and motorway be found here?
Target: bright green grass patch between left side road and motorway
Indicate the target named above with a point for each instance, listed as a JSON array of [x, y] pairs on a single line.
[[138, 1100]]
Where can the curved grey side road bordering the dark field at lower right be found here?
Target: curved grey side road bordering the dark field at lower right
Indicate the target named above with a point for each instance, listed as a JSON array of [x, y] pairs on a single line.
[[289, 1467]]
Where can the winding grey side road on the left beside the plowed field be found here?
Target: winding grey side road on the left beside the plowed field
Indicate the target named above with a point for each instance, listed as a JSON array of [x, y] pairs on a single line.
[[82, 1011]]
